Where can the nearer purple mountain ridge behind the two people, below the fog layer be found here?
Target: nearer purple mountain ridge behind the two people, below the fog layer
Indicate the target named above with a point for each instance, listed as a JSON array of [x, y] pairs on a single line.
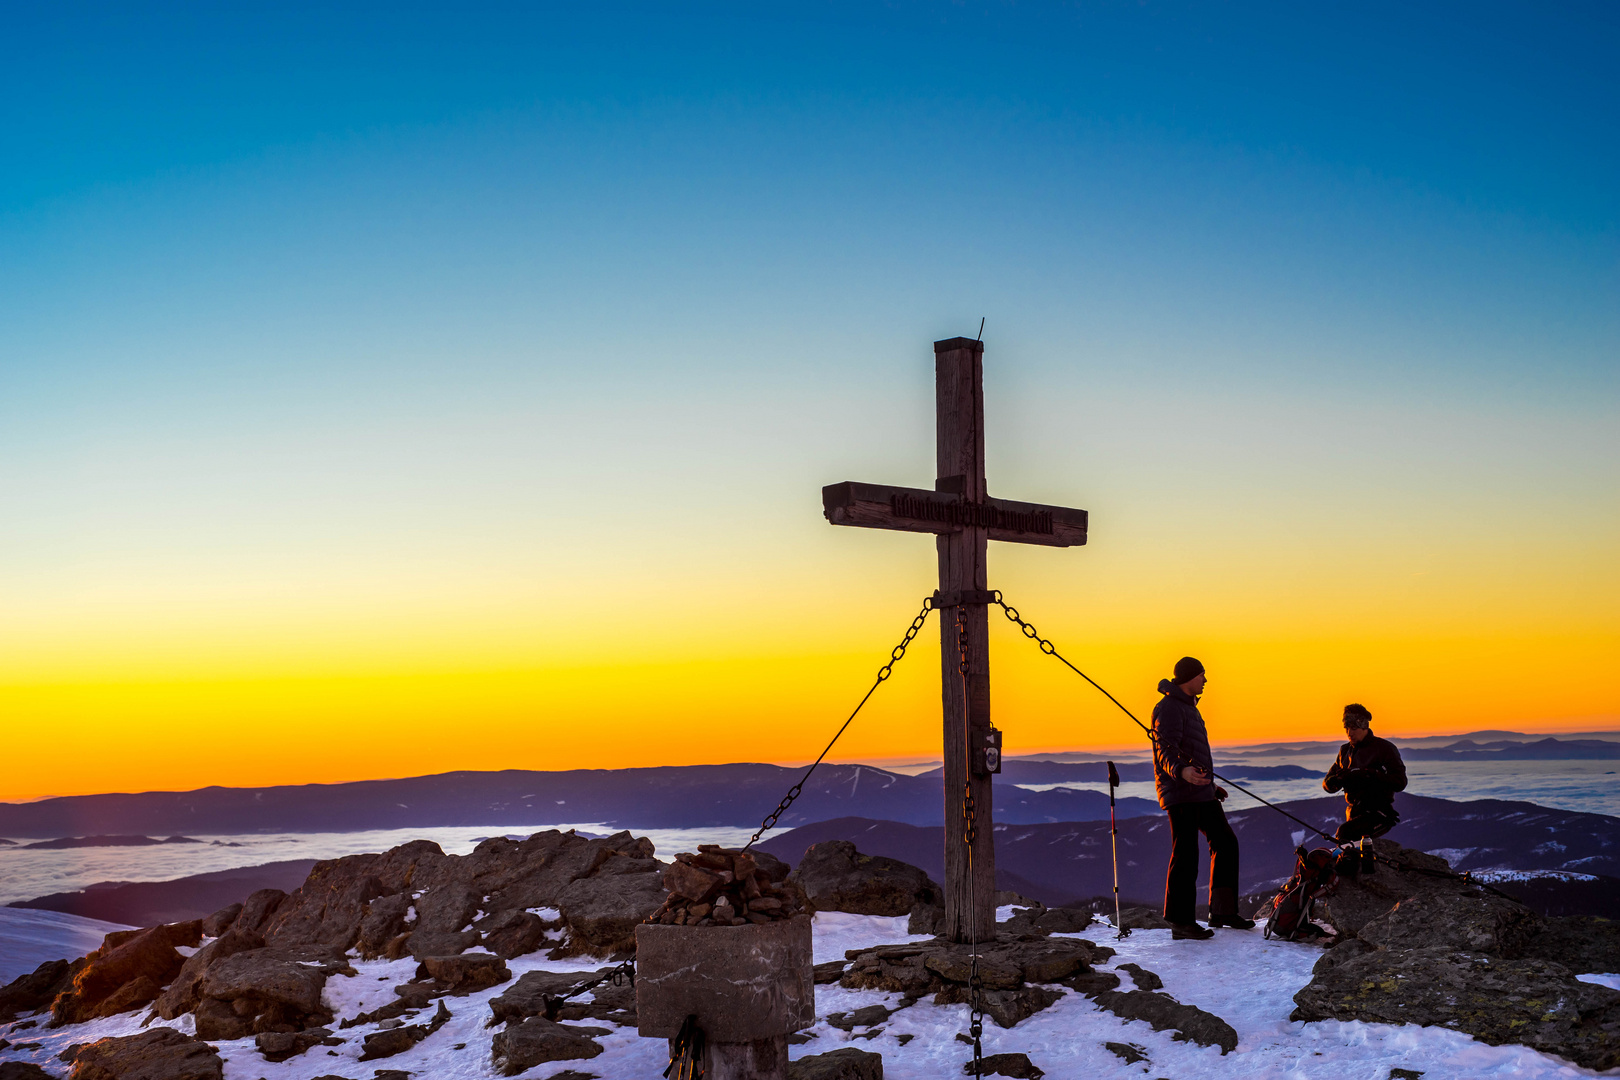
[[1060, 864]]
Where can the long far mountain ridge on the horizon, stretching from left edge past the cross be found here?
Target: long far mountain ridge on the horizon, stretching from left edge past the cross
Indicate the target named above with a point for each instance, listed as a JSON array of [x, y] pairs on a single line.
[[647, 799]]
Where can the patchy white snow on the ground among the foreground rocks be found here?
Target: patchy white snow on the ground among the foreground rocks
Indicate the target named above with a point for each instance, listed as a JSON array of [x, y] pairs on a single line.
[[1240, 977]]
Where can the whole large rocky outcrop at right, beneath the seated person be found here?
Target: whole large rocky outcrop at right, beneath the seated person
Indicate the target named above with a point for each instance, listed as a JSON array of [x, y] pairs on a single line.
[[1431, 950]]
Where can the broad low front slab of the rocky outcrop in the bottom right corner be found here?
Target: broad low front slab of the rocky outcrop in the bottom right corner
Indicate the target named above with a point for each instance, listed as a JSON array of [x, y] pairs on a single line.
[[1494, 1000]]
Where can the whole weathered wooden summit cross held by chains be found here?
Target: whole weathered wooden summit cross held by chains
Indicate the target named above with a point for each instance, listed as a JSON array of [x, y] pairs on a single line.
[[963, 516]]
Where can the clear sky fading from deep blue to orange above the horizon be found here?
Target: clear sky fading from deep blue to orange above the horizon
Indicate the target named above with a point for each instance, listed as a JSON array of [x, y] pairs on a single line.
[[414, 388]]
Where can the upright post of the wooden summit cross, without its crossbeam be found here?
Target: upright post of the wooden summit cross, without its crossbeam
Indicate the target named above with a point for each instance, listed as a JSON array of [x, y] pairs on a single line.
[[960, 443]]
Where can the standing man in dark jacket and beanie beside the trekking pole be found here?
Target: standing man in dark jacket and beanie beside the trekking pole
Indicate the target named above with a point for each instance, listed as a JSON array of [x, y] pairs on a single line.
[[1183, 776]]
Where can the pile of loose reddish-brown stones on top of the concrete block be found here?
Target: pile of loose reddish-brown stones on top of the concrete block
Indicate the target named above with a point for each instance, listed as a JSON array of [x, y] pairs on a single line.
[[723, 887]]
